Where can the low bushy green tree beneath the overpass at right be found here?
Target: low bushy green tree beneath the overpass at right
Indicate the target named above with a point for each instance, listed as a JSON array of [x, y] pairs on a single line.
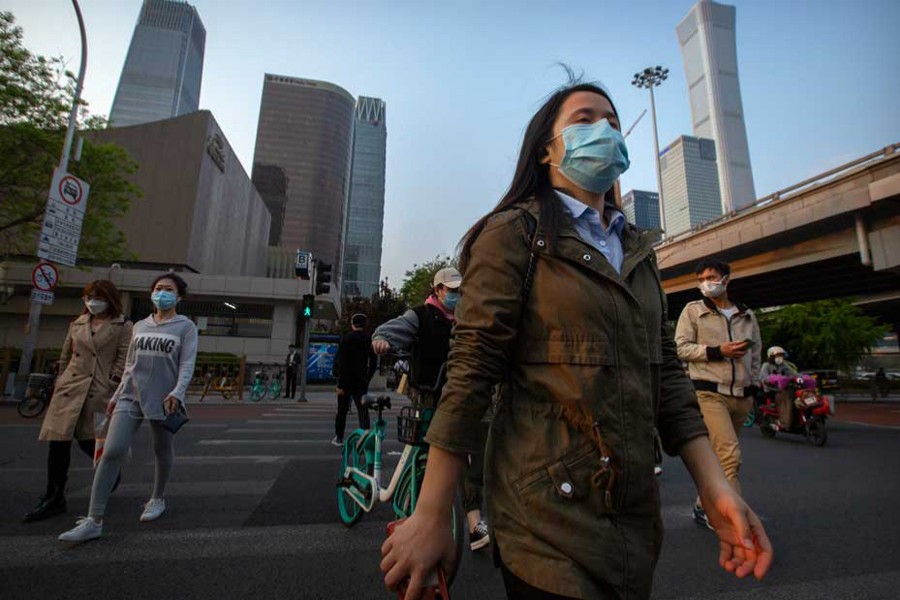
[[826, 334]]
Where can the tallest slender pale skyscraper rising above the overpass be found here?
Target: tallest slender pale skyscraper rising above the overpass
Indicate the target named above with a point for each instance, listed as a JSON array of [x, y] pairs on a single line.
[[707, 39]]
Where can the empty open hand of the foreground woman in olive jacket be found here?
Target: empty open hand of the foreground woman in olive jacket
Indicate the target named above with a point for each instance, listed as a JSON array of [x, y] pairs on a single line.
[[744, 546]]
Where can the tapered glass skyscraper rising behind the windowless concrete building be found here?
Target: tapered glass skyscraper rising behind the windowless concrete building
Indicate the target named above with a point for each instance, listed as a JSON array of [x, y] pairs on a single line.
[[164, 67]]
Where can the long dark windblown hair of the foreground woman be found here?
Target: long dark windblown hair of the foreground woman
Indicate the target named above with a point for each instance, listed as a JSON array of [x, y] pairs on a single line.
[[531, 177]]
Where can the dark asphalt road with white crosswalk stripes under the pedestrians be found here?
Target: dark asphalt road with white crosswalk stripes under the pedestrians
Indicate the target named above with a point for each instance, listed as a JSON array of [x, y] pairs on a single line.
[[252, 514]]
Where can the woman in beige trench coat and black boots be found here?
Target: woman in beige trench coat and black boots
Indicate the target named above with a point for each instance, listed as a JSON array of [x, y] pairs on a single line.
[[90, 368]]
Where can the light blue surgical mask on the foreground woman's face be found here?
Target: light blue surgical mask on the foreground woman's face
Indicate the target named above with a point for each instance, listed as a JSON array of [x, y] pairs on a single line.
[[596, 155]]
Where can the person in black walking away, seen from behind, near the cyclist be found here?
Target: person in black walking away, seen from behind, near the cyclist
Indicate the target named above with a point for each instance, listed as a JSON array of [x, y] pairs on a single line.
[[354, 365]]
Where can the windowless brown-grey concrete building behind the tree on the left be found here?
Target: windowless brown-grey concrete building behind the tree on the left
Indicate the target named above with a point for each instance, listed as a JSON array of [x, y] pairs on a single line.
[[199, 211]]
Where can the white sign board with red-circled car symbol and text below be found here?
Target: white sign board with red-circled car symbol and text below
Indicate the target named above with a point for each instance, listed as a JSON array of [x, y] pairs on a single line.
[[63, 219]]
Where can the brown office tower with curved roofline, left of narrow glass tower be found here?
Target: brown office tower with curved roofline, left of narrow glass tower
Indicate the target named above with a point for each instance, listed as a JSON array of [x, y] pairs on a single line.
[[301, 164]]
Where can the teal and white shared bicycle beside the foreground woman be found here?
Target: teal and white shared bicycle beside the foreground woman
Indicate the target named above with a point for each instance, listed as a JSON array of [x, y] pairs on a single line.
[[359, 487]]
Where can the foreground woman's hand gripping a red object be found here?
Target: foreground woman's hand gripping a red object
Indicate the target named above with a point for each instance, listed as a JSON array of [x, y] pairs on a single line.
[[415, 549]]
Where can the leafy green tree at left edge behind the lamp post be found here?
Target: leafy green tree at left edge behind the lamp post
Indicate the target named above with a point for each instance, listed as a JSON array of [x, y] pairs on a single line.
[[35, 99]]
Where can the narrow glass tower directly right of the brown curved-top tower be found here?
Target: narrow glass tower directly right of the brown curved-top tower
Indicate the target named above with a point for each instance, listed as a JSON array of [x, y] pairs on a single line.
[[365, 217]]
